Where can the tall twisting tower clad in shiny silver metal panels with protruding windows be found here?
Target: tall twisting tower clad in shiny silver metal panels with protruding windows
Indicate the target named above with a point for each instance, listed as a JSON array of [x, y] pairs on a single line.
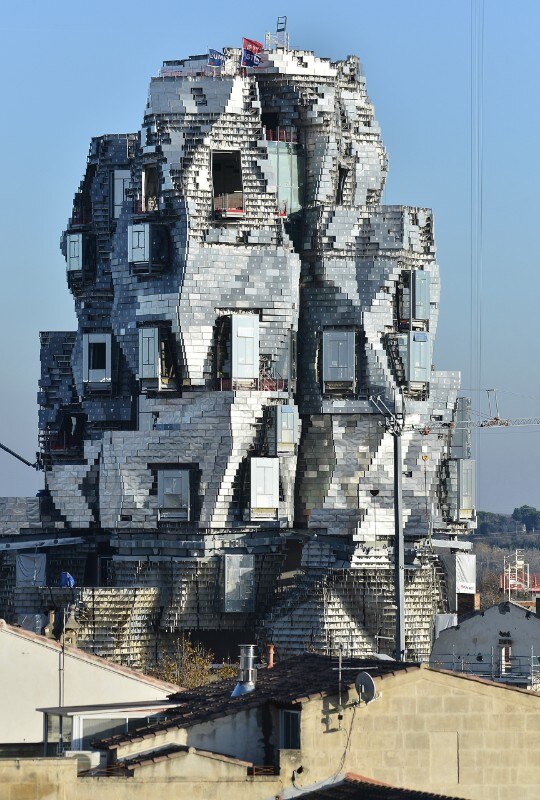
[[216, 459]]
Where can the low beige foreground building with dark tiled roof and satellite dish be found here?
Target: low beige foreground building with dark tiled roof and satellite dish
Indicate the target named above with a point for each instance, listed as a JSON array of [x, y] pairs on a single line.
[[301, 729]]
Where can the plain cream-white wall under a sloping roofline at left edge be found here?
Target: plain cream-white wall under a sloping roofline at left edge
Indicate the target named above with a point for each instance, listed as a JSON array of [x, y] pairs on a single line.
[[29, 679]]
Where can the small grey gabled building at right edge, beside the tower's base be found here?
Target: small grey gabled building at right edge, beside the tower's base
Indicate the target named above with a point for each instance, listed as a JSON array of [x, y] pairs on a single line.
[[501, 643]]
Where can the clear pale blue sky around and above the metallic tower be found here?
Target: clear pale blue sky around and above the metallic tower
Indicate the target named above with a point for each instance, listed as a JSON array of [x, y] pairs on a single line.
[[70, 71]]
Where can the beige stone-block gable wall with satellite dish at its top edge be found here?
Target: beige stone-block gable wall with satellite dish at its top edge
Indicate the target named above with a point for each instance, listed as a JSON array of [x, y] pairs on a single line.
[[433, 732]]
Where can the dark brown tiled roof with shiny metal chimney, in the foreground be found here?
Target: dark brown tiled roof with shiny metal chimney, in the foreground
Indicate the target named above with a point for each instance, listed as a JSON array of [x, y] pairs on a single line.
[[292, 681]]
